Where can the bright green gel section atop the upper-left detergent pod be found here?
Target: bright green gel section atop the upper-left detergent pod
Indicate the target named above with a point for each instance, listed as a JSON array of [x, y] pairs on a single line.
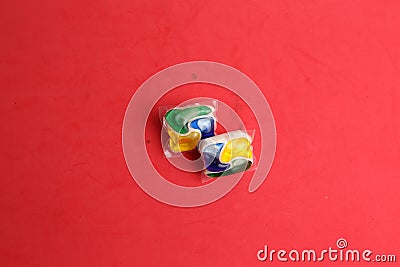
[[178, 118]]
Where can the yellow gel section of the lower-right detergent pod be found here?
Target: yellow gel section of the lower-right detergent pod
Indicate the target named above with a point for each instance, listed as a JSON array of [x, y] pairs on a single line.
[[239, 147]]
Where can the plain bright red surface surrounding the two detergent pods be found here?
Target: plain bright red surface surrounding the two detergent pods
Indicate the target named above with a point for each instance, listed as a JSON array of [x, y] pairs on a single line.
[[329, 70]]
